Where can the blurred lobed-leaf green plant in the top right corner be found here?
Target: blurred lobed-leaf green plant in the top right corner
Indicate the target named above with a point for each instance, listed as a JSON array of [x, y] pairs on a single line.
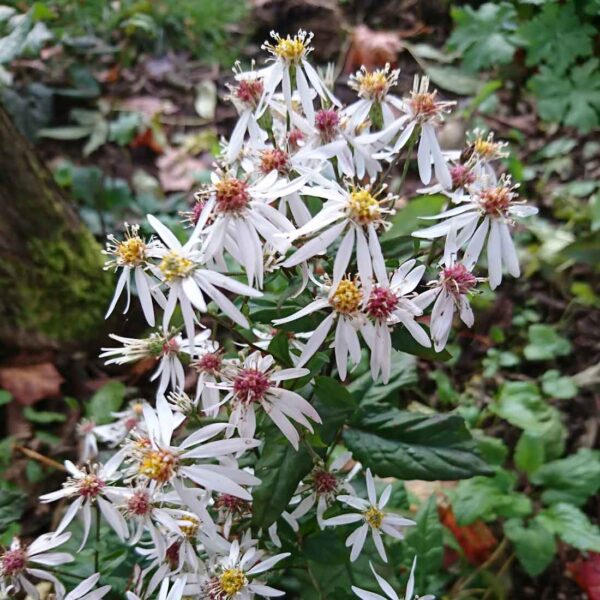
[[558, 42]]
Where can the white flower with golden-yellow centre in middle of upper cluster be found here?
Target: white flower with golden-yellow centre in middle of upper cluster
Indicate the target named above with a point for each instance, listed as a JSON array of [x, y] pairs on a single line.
[[354, 216]]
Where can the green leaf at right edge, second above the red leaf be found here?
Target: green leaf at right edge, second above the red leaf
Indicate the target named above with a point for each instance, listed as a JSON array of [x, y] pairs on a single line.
[[573, 479]]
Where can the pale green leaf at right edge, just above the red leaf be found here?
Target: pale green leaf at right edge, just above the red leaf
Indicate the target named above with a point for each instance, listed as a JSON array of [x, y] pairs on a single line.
[[572, 526]]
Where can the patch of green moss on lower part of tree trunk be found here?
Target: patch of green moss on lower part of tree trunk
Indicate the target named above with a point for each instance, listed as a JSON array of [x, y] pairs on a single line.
[[64, 292]]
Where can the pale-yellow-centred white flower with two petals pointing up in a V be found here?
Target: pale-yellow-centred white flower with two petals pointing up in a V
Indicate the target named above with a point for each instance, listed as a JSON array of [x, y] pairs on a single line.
[[182, 270]]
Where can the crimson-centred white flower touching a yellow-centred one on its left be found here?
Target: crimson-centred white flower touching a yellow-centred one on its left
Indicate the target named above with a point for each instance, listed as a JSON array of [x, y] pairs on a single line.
[[388, 306]]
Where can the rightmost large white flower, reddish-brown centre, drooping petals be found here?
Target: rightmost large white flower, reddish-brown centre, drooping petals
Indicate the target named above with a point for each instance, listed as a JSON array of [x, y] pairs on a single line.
[[489, 211]]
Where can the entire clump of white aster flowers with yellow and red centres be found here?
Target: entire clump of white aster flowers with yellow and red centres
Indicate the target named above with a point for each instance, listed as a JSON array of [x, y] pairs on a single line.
[[287, 237]]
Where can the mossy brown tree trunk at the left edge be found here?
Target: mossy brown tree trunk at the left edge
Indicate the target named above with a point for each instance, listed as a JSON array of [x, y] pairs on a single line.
[[53, 290]]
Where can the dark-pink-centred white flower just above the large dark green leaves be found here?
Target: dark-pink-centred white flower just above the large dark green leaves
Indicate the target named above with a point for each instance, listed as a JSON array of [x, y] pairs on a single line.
[[255, 383]]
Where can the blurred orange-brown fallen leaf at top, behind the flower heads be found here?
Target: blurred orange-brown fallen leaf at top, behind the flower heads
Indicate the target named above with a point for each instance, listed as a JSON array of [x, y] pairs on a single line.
[[373, 49]]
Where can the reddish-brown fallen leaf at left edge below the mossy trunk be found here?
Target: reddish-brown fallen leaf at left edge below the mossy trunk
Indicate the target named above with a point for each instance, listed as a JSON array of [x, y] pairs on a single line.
[[31, 383]]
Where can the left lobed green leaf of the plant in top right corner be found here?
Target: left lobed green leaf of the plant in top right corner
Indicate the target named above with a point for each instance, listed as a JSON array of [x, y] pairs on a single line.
[[484, 36]]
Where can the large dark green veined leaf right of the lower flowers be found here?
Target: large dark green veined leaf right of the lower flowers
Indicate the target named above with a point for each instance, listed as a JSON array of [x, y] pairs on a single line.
[[407, 445]]
